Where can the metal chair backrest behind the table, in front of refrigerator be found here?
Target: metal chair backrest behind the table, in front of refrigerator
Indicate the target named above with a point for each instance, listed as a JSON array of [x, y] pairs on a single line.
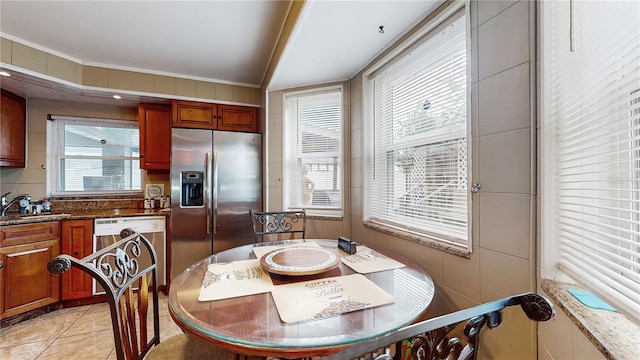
[[278, 225]]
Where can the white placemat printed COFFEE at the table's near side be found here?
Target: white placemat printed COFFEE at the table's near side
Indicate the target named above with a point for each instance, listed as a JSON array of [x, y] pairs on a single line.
[[326, 297]]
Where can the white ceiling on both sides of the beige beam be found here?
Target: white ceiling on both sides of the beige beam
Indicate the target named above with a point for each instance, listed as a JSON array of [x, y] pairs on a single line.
[[223, 41]]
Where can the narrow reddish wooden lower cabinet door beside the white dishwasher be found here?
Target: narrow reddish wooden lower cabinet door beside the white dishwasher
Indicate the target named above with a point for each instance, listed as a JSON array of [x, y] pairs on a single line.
[[77, 241]]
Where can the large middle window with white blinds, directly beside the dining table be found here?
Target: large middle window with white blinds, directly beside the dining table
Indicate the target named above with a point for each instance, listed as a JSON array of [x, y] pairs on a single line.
[[416, 121]]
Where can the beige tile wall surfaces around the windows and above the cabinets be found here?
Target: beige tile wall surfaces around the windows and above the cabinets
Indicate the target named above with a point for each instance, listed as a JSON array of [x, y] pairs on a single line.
[[503, 262]]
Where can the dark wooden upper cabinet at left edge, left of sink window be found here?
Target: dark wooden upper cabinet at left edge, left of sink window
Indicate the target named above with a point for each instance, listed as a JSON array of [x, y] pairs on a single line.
[[13, 121]]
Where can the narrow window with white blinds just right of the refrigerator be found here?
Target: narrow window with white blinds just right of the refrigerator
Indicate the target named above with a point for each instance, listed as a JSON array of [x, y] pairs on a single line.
[[313, 168]]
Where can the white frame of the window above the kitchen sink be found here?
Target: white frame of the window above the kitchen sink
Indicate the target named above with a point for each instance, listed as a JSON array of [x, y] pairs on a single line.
[[56, 144]]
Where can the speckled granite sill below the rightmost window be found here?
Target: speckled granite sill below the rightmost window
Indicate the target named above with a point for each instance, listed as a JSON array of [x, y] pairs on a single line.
[[613, 334]]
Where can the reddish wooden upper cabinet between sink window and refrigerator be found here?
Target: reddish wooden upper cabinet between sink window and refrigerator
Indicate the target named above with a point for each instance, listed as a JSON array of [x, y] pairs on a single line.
[[155, 136]]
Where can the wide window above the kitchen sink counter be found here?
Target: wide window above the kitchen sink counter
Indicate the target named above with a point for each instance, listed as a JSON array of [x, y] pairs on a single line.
[[95, 156]]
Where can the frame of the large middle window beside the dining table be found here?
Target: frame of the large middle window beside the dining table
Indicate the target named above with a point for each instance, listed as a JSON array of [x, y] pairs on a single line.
[[443, 15]]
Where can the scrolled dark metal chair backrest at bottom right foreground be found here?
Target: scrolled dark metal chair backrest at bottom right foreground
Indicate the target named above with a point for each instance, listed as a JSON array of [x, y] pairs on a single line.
[[430, 339]]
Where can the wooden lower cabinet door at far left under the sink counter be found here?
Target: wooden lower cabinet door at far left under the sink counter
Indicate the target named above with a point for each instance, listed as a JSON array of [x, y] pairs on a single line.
[[25, 281]]
